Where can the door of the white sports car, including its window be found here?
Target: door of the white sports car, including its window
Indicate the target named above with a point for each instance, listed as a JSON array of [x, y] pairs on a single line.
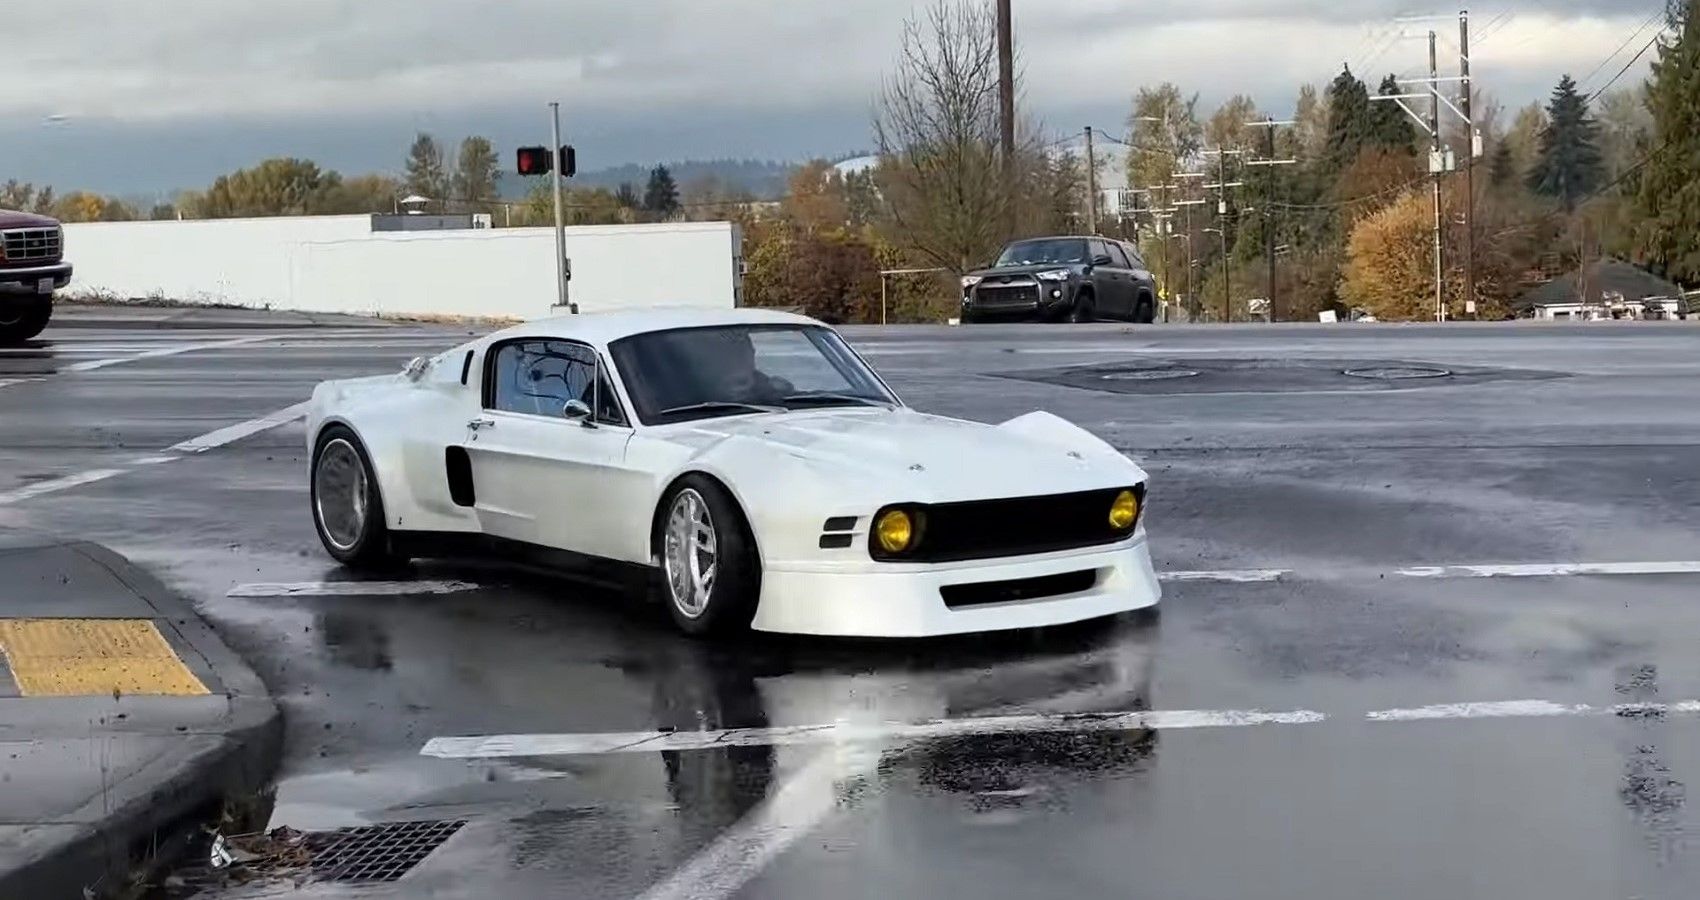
[[540, 476]]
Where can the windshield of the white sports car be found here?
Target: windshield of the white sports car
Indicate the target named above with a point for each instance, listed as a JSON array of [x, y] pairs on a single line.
[[734, 370]]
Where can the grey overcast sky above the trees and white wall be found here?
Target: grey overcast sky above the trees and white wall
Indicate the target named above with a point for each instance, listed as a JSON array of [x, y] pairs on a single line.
[[161, 94]]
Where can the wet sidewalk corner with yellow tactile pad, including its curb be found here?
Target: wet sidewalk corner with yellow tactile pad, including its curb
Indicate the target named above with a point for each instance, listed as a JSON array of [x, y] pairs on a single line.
[[125, 722]]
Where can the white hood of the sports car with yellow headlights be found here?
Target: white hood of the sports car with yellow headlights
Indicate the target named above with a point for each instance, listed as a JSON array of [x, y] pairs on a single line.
[[927, 459]]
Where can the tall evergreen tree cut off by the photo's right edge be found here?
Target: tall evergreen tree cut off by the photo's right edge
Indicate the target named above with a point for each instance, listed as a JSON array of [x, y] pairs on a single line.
[[1669, 195]]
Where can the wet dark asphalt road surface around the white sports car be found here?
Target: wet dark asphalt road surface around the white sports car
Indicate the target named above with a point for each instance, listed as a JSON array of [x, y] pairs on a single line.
[[1550, 447]]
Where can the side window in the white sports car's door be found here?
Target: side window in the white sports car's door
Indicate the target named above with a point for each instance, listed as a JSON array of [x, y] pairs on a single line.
[[540, 377]]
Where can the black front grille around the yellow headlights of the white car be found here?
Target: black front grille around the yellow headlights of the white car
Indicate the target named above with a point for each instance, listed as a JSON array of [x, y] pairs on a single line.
[[983, 530]]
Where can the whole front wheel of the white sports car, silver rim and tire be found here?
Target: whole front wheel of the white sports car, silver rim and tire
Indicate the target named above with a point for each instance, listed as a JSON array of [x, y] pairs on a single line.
[[711, 576]]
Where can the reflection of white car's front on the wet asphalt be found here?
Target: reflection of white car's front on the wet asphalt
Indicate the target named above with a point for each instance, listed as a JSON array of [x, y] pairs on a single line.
[[766, 683]]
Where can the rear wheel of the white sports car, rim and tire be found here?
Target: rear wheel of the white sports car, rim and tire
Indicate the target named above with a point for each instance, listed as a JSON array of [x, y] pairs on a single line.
[[348, 508]]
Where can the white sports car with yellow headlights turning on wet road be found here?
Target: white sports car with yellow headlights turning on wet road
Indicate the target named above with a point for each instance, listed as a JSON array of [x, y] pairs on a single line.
[[747, 465]]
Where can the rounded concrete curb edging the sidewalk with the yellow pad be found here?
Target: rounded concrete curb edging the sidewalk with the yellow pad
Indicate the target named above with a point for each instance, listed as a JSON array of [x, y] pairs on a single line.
[[152, 816]]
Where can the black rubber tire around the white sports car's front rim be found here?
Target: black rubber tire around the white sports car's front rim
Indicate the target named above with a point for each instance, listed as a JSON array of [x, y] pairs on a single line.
[[737, 584]]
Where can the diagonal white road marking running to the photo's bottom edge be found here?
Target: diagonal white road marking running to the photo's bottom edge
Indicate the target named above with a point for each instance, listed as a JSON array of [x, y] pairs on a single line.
[[786, 816]]
